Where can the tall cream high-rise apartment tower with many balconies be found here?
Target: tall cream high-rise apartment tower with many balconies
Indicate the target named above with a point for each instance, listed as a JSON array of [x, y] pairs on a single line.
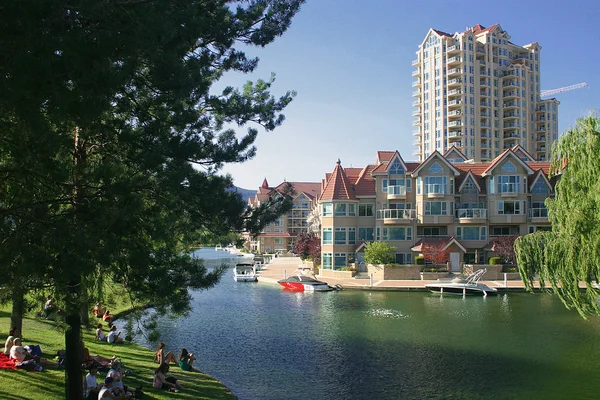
[[479, 92]]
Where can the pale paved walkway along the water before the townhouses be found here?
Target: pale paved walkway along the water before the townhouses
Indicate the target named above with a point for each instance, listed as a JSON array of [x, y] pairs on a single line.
[[281, 267]]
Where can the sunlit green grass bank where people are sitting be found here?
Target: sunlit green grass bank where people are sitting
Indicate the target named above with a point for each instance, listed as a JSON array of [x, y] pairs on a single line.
[[49, 384]]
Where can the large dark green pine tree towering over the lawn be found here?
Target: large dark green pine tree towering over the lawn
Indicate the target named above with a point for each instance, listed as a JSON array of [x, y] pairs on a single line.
[[111, 141]]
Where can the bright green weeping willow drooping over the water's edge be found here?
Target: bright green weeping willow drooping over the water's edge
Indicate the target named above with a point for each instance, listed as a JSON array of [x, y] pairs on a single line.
[[570, 253]]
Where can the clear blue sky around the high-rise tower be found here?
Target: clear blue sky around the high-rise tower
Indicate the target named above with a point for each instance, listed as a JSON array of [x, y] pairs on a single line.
[[350, 62]]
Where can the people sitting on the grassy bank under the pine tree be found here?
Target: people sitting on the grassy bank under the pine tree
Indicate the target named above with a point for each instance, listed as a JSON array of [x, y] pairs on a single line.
[[112, 387]]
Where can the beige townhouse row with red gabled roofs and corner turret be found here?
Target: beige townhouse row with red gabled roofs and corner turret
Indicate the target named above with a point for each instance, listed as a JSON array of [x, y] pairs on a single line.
[[447, 200]]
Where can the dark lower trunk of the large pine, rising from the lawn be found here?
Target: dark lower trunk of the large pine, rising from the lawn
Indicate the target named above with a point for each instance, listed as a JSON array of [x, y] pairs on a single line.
[[73, 344]]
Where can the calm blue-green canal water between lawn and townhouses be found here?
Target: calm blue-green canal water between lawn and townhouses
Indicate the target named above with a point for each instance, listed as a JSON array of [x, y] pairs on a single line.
[[266, 343]]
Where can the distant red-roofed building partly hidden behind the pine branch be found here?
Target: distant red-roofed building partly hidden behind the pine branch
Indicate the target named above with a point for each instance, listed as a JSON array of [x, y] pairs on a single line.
[[280, 235]]
